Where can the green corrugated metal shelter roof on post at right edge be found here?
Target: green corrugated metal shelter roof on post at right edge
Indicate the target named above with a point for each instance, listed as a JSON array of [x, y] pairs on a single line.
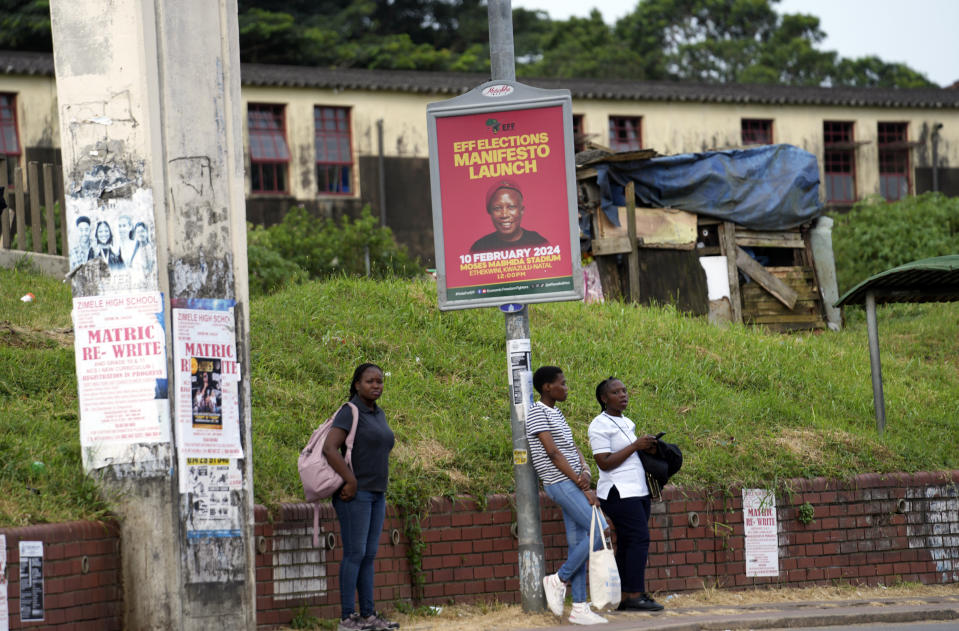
[[926, 280]]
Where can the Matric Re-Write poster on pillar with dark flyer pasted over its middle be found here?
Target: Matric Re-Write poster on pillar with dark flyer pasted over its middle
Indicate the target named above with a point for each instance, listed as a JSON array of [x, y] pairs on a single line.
[[207, 378]]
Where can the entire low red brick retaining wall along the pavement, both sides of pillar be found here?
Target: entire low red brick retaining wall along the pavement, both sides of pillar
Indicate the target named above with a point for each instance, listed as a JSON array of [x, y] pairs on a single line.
[[870, 529]]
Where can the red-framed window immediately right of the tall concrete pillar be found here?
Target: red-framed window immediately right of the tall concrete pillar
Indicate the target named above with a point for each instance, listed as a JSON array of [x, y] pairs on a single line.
[[269, 153]]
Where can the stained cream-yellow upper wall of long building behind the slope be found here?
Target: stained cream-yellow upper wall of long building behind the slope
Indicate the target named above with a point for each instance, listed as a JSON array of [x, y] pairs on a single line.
[[667, 127]]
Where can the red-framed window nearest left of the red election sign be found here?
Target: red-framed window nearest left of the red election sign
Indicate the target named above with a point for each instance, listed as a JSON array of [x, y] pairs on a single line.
[[334, 152]]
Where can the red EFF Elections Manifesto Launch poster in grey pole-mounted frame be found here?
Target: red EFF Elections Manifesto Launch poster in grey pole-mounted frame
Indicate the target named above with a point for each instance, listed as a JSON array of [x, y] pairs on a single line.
[[505, 204]]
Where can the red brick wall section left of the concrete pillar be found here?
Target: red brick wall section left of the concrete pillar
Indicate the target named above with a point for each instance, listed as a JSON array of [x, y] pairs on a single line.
[[79, 595]]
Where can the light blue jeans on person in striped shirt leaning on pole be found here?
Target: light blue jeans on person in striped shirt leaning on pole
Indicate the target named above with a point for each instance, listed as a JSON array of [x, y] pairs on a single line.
[[577, 514]]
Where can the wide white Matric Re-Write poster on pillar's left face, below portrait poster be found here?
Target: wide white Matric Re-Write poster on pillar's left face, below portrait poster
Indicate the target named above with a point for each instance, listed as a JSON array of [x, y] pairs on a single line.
[[120, 347]]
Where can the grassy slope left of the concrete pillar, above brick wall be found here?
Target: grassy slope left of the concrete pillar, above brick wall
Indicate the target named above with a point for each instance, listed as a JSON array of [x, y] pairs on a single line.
[[38, 407]]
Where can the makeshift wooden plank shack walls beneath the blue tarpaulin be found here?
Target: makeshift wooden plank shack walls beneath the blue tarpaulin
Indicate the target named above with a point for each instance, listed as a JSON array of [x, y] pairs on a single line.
[[771, 275]]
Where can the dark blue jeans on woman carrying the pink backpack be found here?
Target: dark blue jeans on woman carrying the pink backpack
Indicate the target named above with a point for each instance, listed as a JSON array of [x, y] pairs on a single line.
[[361, 522]]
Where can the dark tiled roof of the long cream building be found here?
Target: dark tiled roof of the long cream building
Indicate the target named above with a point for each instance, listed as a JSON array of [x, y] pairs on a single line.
[[452, 83]]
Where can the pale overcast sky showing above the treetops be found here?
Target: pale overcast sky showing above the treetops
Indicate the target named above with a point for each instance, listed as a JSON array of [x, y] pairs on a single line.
[[919, 33]]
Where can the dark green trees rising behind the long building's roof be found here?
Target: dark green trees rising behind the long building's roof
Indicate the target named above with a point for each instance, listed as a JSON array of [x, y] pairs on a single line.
[[744, 41]]
